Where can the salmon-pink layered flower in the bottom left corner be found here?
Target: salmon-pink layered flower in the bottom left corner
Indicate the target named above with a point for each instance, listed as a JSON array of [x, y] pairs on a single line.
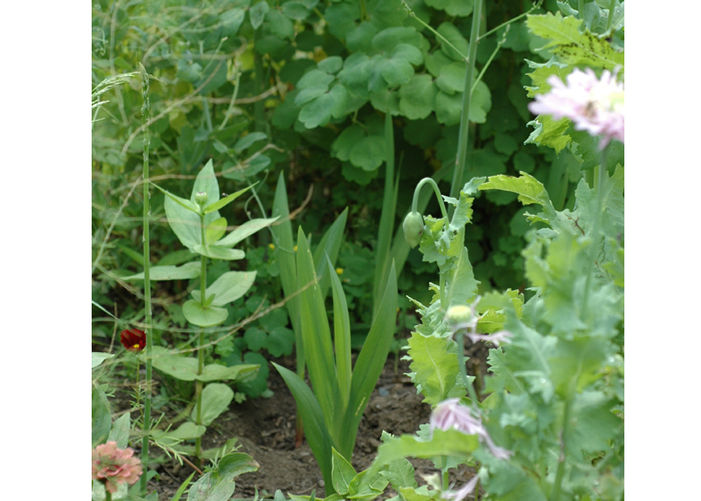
[[113, 466]]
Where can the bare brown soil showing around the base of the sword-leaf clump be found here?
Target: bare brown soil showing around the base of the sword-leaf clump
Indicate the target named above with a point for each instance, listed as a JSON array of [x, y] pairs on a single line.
[[265, 429]]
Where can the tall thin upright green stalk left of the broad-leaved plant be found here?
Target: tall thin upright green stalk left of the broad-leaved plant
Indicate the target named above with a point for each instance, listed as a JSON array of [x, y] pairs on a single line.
[[147, 279]]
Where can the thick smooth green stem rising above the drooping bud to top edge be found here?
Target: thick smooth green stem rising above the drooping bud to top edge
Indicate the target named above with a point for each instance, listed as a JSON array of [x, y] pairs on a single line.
[[463, 135]]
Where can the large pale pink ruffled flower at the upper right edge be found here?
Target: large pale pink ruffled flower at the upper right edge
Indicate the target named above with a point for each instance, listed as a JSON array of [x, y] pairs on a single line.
[[594, 105]]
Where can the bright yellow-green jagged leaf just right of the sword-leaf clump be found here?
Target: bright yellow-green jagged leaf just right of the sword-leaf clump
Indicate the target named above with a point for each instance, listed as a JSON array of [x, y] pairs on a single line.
[[434, 368]]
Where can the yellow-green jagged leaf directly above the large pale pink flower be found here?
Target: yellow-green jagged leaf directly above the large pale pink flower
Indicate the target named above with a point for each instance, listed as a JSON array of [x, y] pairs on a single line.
[[571, 45]]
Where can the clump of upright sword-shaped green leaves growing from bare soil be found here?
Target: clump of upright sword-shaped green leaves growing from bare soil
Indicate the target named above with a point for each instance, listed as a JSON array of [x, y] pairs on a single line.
[[331, 411]]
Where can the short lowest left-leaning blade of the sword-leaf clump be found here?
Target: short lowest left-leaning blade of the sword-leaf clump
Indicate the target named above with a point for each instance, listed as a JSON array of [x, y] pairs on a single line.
[[315, 429]]
